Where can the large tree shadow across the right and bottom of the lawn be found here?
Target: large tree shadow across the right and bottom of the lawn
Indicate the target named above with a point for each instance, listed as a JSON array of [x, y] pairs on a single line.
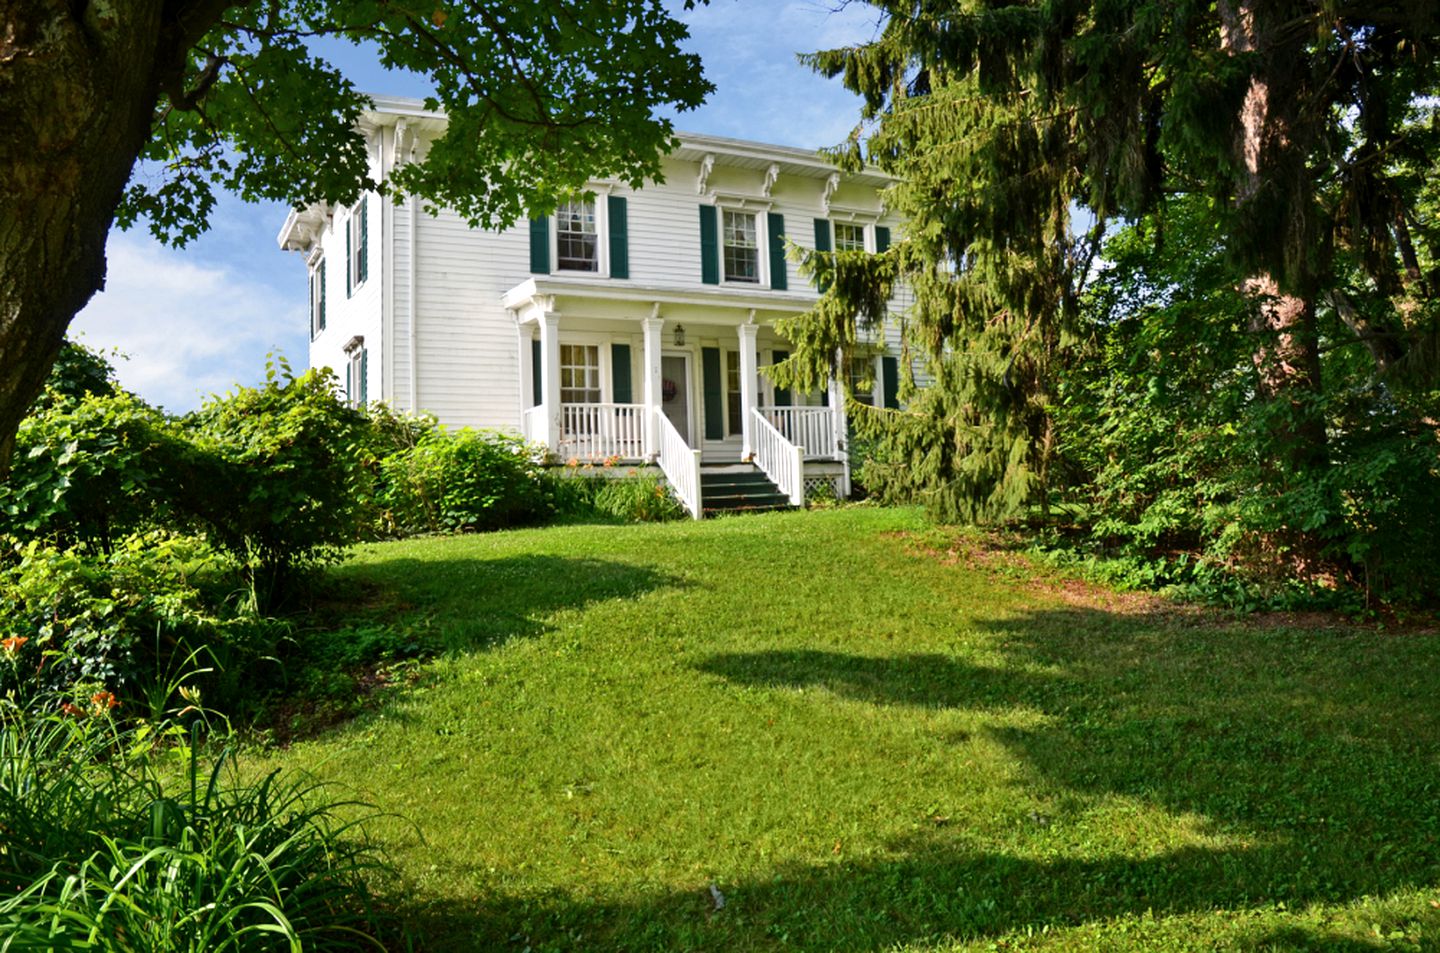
[[1313, 761]]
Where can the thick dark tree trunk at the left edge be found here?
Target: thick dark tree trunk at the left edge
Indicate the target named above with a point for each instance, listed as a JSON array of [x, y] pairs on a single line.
[[78, 89]]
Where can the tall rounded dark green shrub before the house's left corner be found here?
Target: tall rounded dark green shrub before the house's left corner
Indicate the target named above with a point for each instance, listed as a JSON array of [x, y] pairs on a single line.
[[282, 482]]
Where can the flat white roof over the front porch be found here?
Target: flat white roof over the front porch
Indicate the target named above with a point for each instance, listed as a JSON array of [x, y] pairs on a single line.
[[631, 300]]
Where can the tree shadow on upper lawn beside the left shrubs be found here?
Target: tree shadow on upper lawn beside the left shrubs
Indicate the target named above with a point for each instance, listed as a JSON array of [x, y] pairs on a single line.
[[480, 604]]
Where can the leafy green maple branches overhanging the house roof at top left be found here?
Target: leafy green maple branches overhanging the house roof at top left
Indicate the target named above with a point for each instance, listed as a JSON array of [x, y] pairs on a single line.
[[541, 97]]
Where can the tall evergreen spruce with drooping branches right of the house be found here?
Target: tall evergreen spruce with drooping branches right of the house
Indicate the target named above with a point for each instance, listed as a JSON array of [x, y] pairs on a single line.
[[1022, 132]]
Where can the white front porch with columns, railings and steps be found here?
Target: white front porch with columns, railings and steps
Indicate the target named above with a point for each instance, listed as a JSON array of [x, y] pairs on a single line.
[[701, 397]]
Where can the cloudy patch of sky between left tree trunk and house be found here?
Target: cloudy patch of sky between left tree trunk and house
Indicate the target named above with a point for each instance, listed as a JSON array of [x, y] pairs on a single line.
[[191, 329]]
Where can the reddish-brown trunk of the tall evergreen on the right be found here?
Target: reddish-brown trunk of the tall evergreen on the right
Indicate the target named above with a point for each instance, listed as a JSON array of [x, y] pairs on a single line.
[[1271, 149]]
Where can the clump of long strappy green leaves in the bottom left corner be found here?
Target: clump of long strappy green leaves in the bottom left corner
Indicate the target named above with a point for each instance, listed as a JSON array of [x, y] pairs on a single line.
[[100, 853]]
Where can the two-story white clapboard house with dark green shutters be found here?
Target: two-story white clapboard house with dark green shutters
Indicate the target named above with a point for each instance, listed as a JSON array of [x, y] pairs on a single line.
[[634, 326]]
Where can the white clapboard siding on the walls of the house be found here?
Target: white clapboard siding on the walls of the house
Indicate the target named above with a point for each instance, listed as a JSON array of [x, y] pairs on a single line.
[[466, 348]]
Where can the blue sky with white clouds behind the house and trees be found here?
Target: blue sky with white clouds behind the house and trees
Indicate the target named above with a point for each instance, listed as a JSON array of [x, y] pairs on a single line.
[[201, 320]]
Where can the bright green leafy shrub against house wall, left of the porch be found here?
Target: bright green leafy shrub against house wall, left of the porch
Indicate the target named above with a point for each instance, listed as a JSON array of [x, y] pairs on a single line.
[[462, 482]]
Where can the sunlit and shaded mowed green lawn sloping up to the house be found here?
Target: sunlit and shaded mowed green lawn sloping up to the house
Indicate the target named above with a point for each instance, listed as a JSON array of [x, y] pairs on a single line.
[[865, 741]]
